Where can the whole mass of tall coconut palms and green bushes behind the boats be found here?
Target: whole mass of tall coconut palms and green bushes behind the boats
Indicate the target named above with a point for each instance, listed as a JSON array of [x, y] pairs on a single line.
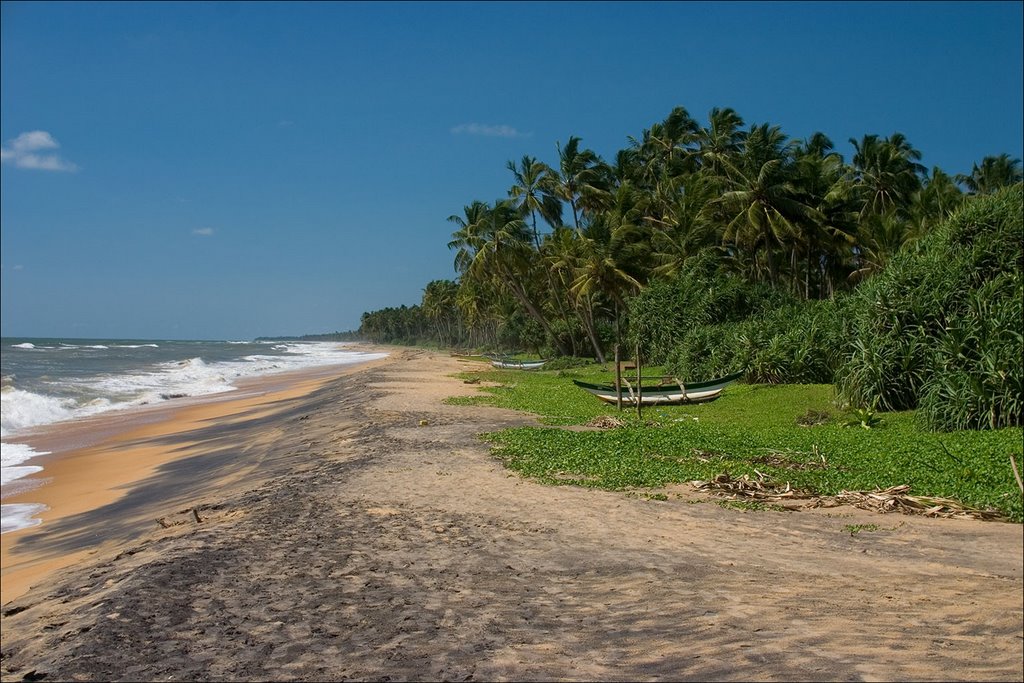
[[724, 247]]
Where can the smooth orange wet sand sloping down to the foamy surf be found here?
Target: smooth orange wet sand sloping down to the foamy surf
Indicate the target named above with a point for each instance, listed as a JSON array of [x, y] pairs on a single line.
[[93, 464]]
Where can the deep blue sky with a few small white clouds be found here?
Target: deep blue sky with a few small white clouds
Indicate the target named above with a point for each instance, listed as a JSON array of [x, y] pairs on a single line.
[[229, 170]]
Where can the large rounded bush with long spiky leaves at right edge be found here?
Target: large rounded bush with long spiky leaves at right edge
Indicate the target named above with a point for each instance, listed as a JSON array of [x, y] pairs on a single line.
[[943, 327]]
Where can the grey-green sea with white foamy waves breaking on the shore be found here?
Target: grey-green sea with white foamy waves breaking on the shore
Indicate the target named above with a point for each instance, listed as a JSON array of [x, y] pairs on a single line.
[[50, 381]]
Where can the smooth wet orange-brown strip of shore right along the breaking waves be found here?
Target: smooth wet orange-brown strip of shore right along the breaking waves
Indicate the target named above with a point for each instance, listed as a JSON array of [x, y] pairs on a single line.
[[92, 463]]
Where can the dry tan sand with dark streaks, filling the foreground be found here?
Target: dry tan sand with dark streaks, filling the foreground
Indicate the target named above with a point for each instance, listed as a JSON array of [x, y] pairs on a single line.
[[361, 531]]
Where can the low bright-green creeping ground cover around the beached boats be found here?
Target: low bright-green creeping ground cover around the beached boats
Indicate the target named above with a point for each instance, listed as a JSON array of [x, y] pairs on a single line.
[[750, 428]]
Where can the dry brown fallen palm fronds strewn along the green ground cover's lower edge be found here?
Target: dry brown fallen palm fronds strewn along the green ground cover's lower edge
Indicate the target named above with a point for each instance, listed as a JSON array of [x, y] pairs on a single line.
[[894, 499]]
